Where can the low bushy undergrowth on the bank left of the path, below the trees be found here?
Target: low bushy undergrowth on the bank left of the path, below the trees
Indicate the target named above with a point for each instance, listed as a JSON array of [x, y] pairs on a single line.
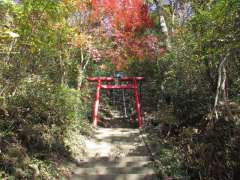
[[41, 129]]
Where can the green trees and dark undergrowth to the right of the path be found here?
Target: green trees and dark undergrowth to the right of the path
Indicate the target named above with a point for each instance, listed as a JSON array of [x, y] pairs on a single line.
[[199, 48]]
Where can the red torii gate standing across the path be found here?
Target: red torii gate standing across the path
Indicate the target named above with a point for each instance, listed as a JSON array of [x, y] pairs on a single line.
[[132, 84]]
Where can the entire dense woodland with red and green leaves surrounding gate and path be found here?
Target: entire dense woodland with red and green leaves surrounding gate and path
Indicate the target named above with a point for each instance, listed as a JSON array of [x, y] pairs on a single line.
[[187, 50]]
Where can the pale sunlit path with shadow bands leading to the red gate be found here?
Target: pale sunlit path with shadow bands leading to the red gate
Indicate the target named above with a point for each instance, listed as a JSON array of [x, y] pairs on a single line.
[[115, 154]]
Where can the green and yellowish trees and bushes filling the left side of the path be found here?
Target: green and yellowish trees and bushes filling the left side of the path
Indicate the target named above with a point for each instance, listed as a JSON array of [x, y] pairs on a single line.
[[38, 110]]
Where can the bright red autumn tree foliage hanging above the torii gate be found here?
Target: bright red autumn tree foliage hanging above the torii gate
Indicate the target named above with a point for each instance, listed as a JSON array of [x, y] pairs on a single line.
[[123, 20]]
